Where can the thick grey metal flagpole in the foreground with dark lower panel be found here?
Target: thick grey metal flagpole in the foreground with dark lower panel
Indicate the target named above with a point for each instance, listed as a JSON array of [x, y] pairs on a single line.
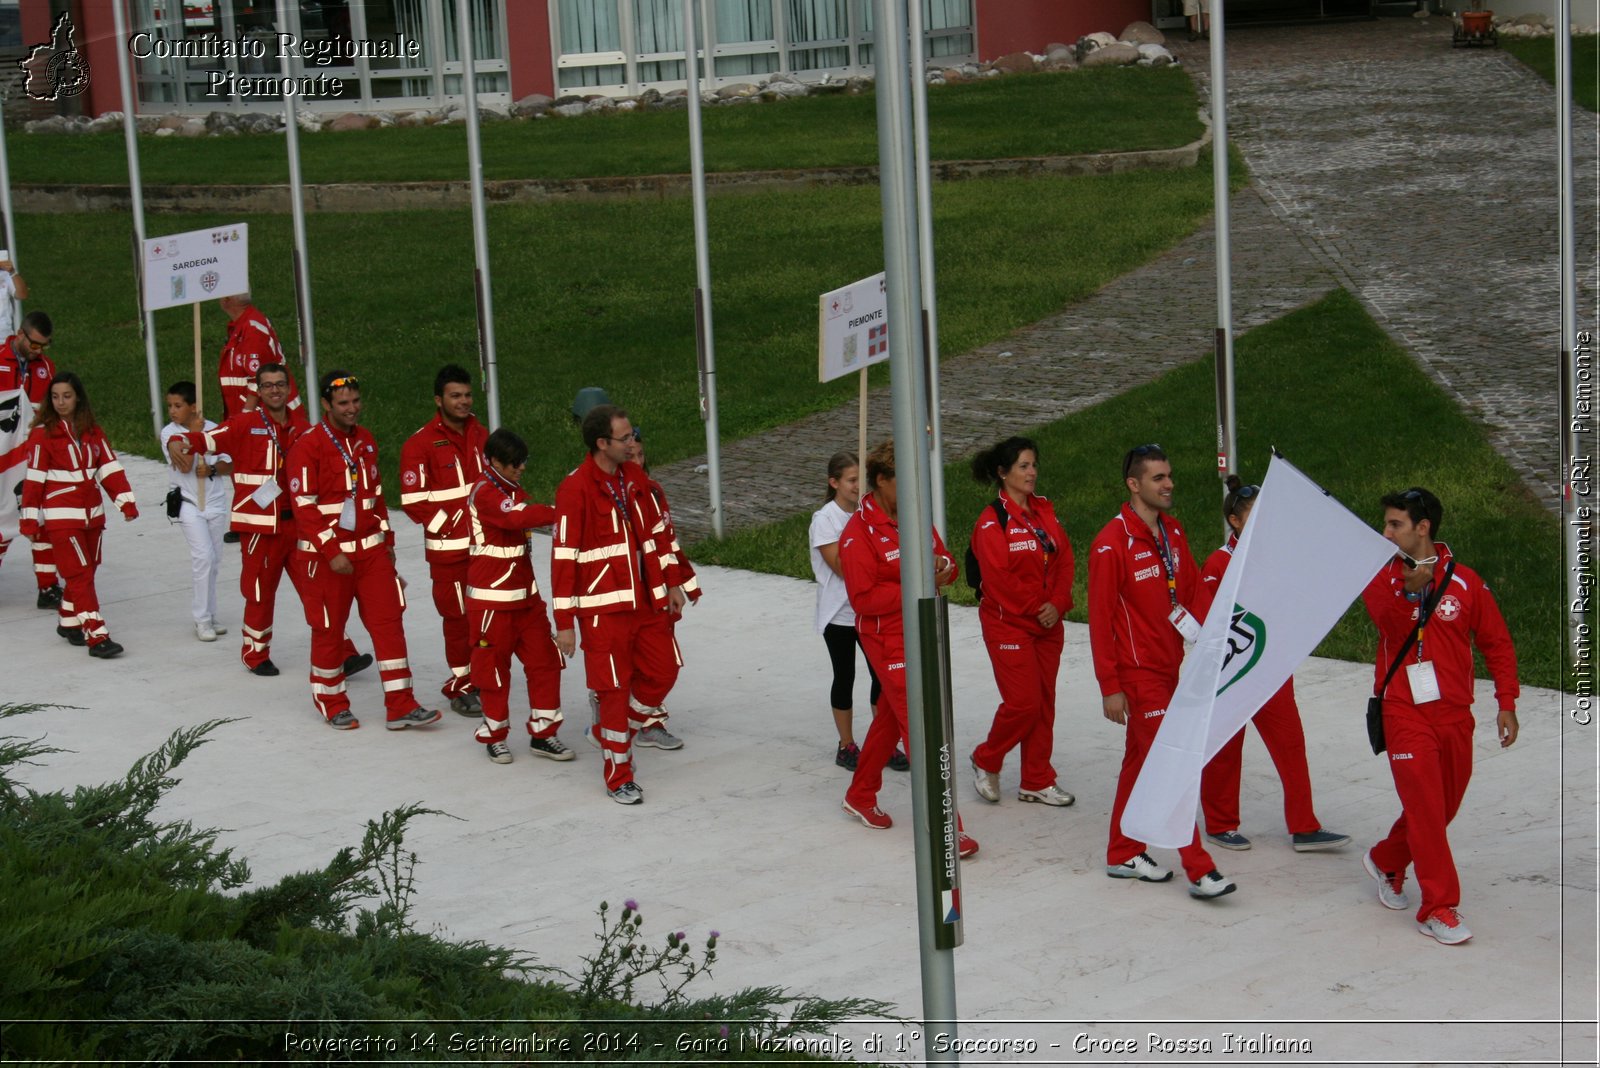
[[924, 612]]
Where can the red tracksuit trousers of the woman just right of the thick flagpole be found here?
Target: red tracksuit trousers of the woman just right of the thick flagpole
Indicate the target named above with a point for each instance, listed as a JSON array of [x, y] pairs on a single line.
[[1026, 667]]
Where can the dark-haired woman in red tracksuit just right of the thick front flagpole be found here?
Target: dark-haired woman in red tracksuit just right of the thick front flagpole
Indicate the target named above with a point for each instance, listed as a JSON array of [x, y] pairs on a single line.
[[1026, 565]]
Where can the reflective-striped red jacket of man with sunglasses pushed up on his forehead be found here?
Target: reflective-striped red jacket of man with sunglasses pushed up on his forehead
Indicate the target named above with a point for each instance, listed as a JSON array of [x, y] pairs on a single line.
[[322, 482]]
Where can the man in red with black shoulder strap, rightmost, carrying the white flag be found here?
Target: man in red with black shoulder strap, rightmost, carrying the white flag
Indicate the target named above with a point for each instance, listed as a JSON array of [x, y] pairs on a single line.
[[1428, 706]]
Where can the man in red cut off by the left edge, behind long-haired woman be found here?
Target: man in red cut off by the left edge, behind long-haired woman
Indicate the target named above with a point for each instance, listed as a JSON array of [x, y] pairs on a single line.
[[25, 385]]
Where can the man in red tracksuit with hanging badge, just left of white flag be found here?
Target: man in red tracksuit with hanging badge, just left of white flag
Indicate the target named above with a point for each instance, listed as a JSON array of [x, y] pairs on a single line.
[[1142, 580]]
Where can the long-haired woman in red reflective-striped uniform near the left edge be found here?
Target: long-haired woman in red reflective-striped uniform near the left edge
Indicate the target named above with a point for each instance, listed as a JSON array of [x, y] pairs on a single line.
[[68, 463]]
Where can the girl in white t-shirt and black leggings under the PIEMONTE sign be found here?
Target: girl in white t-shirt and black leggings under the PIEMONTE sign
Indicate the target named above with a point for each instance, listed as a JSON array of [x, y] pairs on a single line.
[[836, 621]]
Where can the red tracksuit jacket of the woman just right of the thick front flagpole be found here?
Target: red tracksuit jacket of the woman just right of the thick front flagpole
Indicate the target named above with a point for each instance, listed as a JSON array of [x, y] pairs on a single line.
[[1018, 575]]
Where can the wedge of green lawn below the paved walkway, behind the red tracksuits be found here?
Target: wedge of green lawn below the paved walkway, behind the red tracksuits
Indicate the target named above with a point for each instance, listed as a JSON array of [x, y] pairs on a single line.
[[1343, 404]]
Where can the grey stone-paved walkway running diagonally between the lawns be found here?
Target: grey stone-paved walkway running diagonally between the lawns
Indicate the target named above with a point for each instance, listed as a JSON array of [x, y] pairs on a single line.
[[1418, 177]]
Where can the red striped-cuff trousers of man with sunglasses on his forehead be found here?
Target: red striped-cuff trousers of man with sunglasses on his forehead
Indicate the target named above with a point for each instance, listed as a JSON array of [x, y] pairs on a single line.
[[375, 591]]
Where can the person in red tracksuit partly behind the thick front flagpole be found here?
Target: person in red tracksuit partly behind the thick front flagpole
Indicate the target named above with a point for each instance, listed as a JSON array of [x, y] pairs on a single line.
[[870, 556]]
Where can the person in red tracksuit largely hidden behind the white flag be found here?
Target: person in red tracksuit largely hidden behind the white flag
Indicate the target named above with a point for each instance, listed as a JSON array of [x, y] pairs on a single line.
[[1278, 723]]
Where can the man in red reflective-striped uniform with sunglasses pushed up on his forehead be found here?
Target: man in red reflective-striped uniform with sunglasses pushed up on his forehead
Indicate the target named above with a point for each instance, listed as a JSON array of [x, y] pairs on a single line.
[[346, 549]]
